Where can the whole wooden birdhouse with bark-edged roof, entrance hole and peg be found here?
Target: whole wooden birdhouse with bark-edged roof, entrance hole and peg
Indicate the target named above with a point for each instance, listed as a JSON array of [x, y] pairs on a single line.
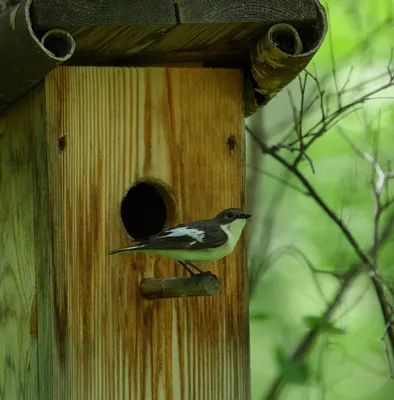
[[120, 119]]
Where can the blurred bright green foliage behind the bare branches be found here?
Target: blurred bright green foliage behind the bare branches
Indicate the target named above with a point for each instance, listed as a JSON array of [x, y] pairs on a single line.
[[348, 361]]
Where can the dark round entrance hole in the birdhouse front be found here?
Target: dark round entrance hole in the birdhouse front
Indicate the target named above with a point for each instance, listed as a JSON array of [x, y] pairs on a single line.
[[147, 208]]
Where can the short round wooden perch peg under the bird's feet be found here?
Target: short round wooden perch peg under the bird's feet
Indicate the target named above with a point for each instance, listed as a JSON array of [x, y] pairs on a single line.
[[206, 284]]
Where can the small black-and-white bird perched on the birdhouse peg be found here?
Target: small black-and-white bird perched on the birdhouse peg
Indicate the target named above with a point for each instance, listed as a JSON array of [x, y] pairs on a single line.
[[195, 242]]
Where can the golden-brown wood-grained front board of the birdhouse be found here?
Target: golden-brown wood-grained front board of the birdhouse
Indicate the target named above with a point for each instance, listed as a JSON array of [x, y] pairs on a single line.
[[116, 125]]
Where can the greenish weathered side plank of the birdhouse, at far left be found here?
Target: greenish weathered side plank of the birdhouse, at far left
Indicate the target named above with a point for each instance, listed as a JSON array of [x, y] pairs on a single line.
[[18, 330]]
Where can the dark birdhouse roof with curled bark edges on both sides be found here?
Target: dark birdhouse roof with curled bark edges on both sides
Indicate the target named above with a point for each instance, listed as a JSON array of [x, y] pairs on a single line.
[[38, 35]]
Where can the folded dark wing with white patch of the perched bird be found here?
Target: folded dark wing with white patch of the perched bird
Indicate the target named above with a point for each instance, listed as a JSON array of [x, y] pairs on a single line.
[[193, 236]]
